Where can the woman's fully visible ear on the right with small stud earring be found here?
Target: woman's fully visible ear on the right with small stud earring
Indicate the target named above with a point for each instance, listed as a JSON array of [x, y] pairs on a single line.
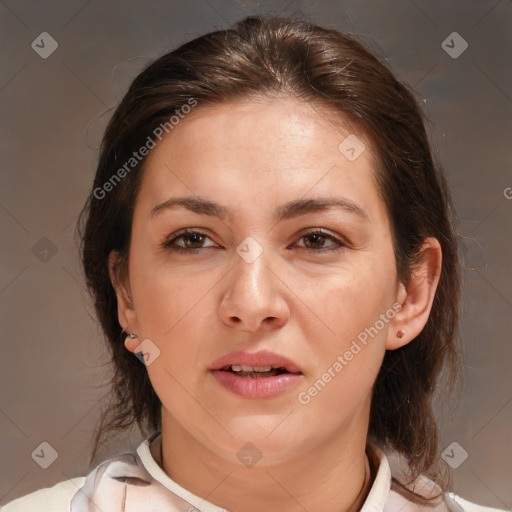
[[417, 298]]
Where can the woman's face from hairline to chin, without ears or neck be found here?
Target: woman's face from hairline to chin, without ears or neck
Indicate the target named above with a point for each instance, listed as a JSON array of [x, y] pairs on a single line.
[[253, 274]]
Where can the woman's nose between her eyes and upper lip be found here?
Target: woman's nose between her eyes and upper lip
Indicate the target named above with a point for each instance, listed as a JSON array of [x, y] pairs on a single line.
[[254, 297]]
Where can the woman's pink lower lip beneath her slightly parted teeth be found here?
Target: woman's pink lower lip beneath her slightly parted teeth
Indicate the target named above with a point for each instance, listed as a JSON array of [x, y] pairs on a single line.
[[257, 387]]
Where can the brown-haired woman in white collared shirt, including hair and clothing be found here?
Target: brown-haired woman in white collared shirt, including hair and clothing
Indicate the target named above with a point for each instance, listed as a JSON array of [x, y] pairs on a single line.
[[269, 235]]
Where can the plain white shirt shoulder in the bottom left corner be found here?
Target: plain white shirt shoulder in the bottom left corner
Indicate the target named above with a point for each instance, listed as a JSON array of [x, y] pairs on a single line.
[[49, 499]]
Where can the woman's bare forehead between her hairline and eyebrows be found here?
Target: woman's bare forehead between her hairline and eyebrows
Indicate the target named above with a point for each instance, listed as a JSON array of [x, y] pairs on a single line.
[[265, 151]]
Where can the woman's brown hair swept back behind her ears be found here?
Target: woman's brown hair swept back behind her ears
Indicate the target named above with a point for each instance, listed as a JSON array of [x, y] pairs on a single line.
[[269, 56]]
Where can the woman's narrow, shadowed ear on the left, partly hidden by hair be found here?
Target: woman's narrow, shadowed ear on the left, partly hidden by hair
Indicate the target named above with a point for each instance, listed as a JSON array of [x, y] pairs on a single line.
[[126, 313]]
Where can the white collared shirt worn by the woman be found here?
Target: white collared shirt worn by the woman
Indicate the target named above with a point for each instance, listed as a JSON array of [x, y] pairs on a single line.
[[135, 481]]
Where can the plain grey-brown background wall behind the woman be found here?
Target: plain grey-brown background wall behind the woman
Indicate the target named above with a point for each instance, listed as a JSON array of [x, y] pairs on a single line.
[[53, 114]]
